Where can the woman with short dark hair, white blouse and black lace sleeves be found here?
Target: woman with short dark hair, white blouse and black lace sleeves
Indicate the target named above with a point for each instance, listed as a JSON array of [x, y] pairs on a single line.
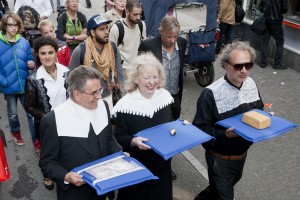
[[46, 87]]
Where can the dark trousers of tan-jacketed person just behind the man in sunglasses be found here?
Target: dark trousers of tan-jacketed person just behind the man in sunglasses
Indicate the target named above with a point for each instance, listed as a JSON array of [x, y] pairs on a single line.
[[227, 32]]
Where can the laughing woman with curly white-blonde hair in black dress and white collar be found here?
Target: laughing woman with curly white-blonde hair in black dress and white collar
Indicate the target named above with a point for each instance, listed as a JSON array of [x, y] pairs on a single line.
[[146, 104]]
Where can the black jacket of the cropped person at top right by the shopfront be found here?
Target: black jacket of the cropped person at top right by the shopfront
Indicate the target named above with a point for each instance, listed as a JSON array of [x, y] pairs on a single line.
[[274, 9]]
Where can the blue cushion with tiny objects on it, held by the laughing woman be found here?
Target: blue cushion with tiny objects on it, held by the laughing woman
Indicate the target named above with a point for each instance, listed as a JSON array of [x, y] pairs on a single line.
[[167, 143]]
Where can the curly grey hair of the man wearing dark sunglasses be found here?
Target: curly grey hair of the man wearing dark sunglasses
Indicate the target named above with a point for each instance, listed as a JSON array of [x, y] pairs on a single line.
[[236, 45]]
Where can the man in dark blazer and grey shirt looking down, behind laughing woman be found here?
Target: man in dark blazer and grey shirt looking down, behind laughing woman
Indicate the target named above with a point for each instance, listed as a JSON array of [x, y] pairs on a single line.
[[169, 49]]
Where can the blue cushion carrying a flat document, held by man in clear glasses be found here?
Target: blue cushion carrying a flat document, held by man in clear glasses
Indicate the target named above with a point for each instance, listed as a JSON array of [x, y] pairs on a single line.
[[114, 172]]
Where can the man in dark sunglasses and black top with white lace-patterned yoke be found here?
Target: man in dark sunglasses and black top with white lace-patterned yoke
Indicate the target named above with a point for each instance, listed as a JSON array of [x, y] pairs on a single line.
[[232, 94]]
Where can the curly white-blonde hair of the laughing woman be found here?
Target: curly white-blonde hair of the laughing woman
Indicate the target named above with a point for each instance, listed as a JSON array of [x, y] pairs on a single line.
[[144, 60]]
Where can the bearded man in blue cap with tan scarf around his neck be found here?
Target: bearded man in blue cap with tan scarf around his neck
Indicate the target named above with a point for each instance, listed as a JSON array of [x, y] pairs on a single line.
[[102, 55]]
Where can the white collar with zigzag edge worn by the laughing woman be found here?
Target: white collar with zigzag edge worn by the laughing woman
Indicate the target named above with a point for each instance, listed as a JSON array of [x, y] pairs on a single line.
[[134, 103]]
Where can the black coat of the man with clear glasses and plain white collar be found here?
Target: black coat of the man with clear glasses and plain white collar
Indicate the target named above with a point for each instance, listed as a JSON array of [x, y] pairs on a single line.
[[61, 154]]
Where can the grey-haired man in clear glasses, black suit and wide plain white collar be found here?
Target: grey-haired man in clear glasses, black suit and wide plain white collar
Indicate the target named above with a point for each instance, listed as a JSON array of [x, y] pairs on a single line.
[[75, 133]]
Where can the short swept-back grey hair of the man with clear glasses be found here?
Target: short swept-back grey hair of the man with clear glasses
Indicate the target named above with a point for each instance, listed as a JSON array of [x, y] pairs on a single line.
[[79, 76]]
